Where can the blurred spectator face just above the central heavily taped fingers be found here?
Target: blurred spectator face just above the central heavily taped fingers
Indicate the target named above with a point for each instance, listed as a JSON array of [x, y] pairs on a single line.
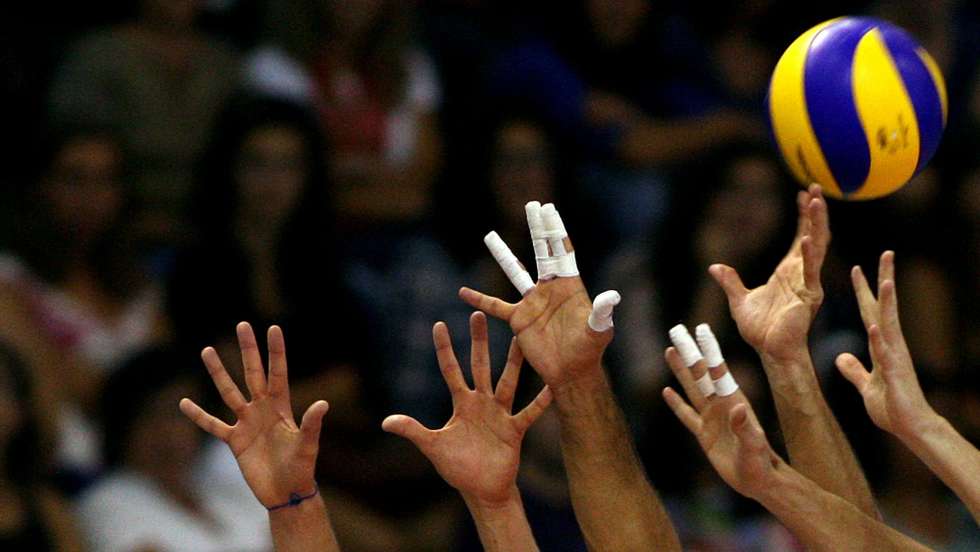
[[522, 170]]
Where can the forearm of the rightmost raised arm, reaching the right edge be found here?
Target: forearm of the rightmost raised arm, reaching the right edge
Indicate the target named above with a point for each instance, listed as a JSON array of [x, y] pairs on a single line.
[[951, 457]]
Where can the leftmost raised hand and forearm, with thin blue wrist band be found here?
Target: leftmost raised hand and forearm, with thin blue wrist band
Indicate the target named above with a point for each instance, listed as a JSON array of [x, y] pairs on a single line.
[[276, 456]]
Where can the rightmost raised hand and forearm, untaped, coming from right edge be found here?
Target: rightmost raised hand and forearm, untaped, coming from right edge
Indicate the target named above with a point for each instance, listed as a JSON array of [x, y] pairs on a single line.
[[892, 394]]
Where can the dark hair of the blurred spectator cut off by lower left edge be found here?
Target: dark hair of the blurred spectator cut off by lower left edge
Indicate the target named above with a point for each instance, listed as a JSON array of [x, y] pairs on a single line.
[[26, 457]]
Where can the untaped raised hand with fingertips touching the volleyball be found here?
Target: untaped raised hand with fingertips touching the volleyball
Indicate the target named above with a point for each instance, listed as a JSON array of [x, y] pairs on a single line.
[[775, 318]]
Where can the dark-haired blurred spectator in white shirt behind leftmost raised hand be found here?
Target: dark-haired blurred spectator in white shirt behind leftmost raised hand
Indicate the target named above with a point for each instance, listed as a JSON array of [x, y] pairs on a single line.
[[152, 498]]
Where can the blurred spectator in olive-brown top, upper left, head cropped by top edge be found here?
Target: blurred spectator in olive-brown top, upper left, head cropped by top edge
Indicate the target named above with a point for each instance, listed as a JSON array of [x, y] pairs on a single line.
[[159, 82]]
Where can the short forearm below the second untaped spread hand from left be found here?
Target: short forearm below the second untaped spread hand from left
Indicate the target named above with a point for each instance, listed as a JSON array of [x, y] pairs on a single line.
[[502, 527]]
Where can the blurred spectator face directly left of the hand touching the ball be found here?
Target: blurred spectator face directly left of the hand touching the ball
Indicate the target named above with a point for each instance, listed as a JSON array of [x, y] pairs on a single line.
[[742, 218]]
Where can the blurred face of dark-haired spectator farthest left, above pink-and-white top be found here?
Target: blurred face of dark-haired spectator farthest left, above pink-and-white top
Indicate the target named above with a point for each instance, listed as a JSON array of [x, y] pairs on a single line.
[[82, 189]]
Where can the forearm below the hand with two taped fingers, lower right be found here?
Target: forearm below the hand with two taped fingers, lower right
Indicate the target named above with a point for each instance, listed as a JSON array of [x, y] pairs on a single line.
[[823, 520]]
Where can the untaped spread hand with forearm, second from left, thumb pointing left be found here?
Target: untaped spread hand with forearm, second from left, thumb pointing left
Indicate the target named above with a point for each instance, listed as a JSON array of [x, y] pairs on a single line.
[[478, 450]]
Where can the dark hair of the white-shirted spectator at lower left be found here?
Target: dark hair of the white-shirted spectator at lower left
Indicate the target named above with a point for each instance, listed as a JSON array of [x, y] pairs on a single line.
[[129, 390]]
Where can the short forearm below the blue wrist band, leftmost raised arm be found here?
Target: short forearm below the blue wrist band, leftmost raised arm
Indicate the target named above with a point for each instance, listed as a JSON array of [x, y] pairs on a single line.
[[303, 528]]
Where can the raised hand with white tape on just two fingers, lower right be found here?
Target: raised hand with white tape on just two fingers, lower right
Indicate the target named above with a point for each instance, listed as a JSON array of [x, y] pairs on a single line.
[[719, 416]]
